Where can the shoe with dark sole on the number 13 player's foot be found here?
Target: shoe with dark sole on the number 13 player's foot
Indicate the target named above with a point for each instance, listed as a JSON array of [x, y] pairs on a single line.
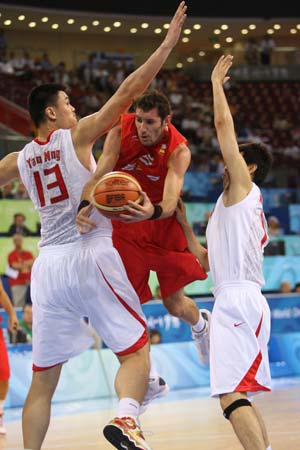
[[125, 434]]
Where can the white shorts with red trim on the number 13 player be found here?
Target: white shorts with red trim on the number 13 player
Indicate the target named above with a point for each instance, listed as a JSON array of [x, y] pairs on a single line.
[[83, 279]]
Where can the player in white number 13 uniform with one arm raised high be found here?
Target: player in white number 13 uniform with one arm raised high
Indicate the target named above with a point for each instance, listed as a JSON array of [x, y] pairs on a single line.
[[75, 275]]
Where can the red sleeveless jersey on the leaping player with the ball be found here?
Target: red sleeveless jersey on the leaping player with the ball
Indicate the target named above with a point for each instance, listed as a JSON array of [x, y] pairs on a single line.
[[147, 164]]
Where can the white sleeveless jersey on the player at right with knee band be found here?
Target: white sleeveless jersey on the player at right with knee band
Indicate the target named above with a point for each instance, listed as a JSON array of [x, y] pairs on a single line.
[[236, 236]]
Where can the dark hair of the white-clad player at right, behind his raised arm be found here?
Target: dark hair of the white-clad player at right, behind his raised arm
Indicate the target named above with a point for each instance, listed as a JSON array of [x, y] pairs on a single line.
[[257, 153]]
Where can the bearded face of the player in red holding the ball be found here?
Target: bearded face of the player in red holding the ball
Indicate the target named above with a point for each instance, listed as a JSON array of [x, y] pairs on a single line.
[[149, 126]]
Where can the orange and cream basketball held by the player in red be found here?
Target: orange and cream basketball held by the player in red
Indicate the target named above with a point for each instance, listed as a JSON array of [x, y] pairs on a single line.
[[113, 191]]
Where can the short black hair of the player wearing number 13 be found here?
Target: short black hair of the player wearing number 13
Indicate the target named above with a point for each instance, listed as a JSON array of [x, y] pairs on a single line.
[[40, 98]]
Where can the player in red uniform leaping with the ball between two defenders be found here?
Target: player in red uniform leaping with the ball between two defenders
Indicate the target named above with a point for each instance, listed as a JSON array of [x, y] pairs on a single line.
[[147, 145]]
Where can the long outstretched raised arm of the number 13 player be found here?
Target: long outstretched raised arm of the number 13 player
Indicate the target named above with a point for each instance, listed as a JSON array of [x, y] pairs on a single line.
[[90, 128]]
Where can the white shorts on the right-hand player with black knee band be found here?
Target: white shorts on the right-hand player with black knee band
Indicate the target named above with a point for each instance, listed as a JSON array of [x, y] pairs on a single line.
[[239, 335]]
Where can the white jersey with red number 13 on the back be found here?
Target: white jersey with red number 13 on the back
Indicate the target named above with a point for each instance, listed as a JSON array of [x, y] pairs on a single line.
[[54, 179]]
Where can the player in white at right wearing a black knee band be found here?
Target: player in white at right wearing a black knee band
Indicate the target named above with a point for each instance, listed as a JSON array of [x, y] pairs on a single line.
[[236, 235]]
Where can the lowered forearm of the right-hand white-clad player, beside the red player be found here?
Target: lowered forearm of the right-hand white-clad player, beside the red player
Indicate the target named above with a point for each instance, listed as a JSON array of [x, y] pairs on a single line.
[[193, 244]]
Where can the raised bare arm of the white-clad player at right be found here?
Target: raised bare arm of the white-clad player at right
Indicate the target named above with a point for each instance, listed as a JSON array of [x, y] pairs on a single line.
[[240, 179]]
